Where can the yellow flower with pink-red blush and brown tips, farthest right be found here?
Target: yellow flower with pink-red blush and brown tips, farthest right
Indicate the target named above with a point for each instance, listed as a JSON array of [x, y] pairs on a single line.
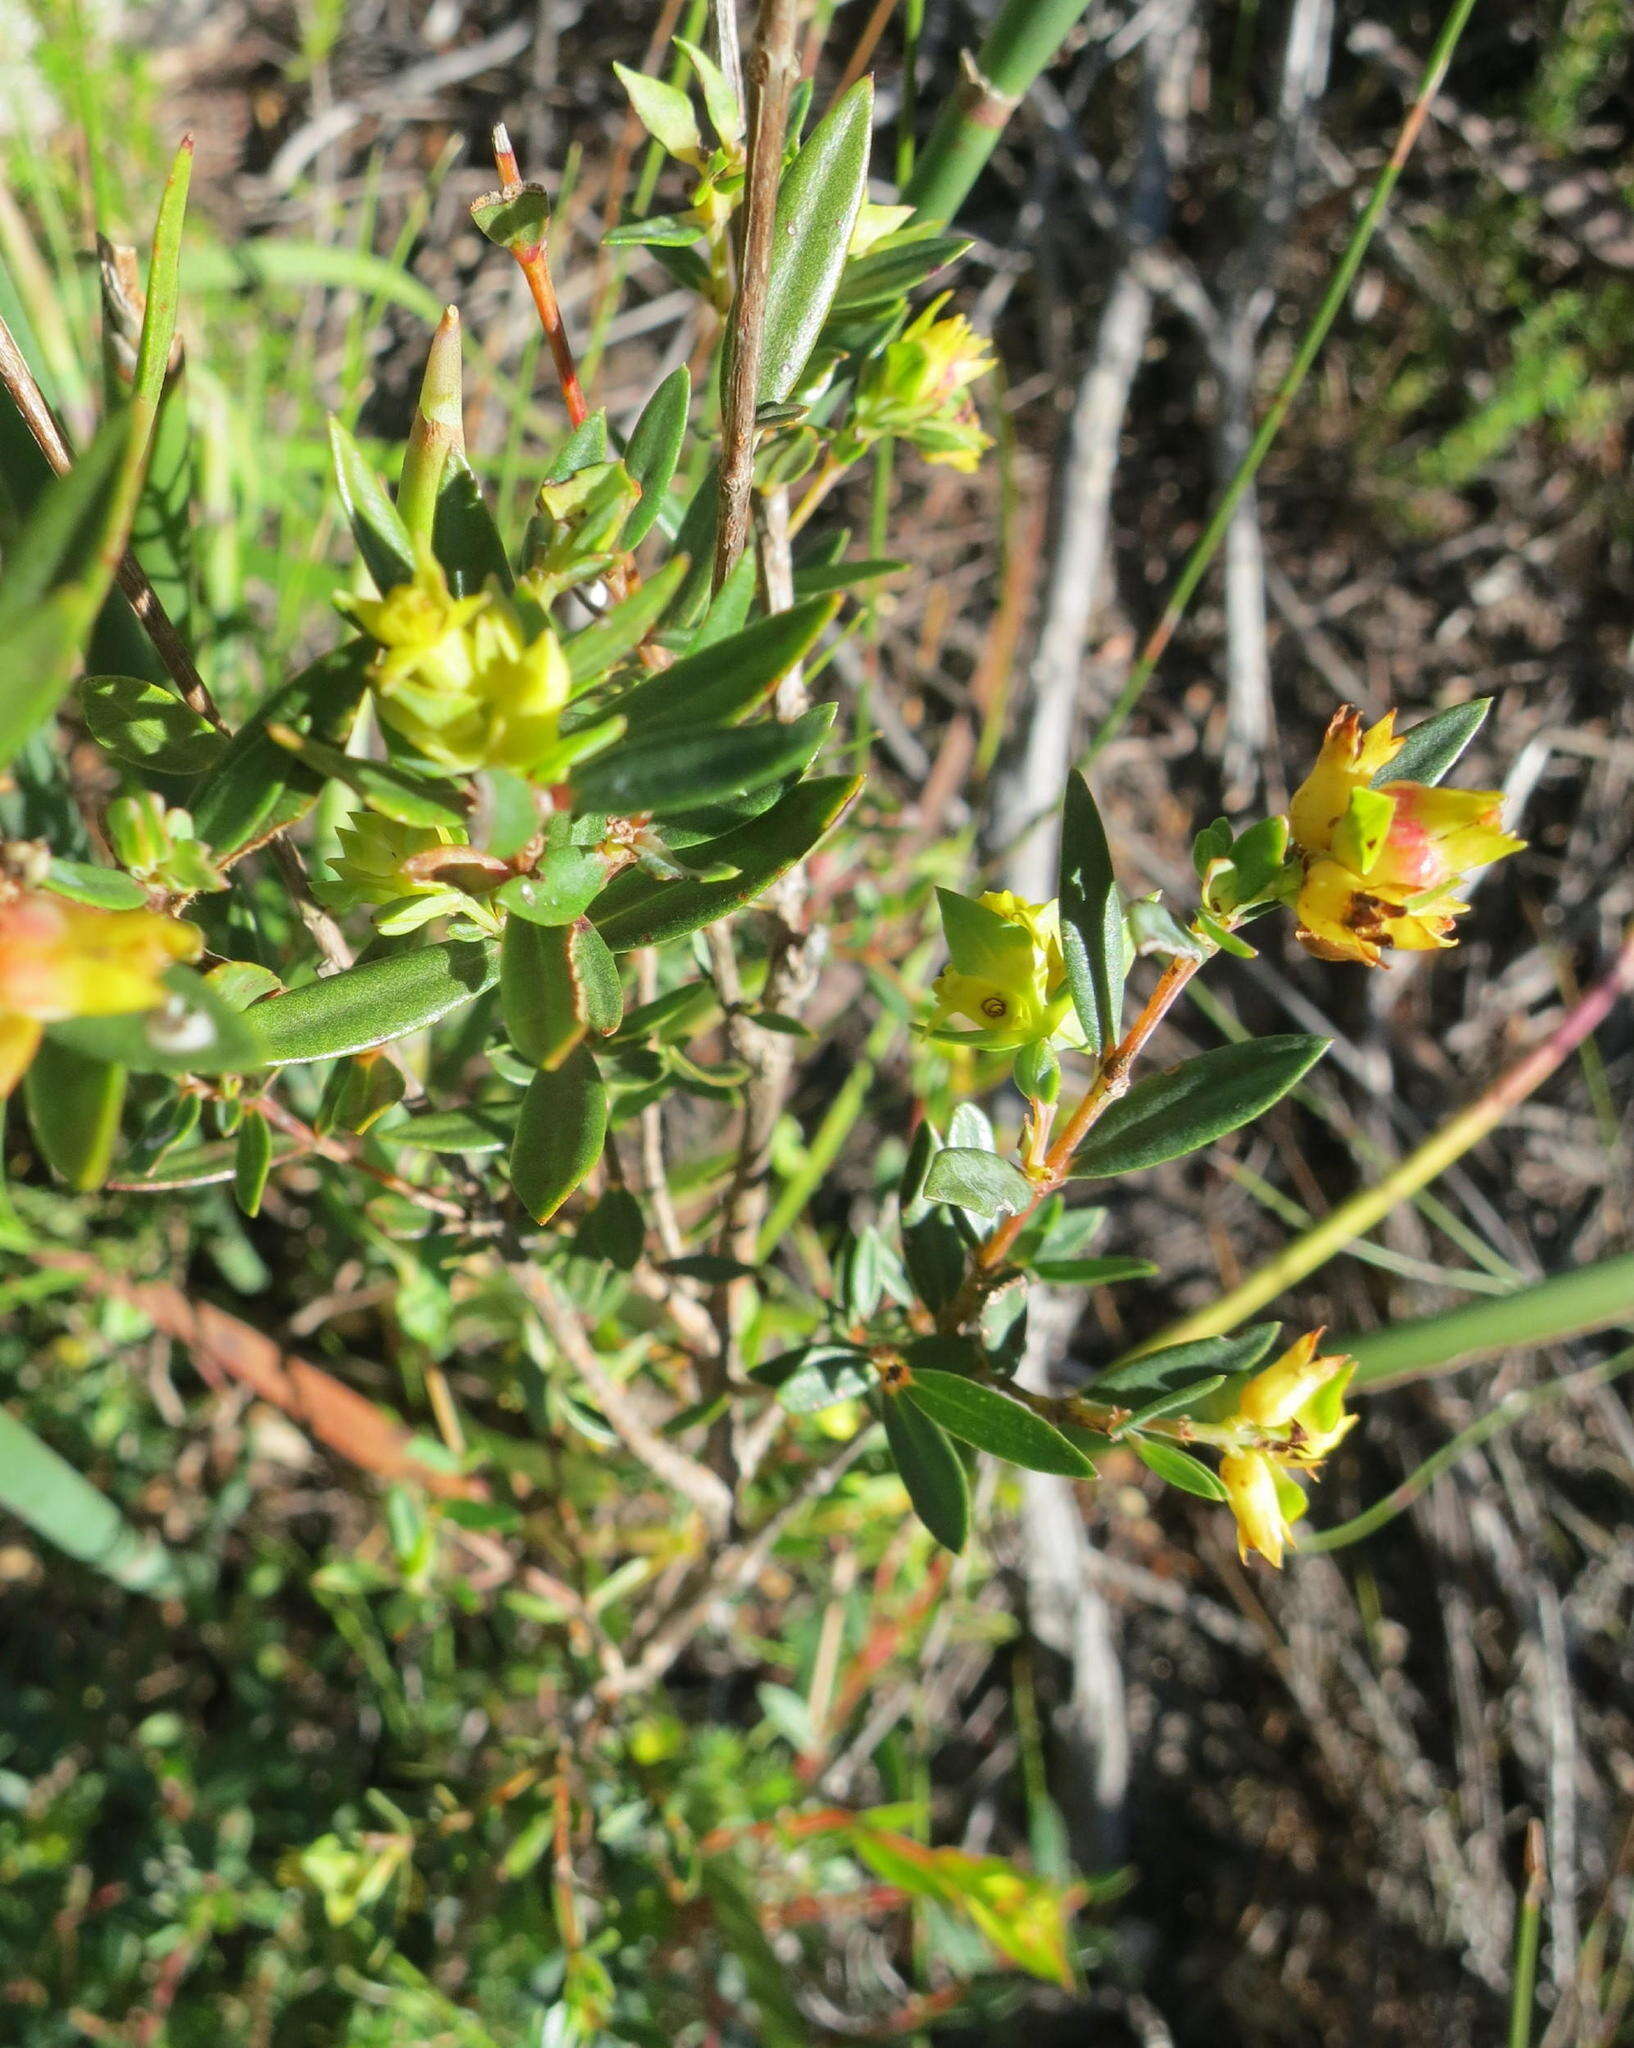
[[1383, 867]]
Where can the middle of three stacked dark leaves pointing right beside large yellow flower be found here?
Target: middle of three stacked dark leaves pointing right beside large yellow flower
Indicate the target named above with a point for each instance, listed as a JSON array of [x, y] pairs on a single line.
[[679, 771]]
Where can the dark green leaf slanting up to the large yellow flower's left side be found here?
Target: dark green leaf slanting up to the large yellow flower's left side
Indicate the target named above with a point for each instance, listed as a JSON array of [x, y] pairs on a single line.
[[259, 787]]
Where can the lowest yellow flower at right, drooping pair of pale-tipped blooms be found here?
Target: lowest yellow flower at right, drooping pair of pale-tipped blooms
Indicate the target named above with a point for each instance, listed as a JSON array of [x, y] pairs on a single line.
[[1297, 1412]]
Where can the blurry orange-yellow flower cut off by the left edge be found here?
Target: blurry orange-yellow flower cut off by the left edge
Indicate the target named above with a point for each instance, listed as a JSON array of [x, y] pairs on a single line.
[[67, 962]]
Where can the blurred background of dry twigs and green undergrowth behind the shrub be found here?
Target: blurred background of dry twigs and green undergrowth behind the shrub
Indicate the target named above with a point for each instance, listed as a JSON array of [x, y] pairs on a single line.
[[335, 1783]]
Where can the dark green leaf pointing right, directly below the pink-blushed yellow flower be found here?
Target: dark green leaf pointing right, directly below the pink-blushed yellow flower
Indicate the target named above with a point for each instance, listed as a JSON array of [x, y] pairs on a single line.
[[1193, 1105]]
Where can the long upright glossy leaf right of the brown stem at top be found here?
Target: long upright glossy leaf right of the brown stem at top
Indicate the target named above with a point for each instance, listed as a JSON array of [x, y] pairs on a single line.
[[818, 206]]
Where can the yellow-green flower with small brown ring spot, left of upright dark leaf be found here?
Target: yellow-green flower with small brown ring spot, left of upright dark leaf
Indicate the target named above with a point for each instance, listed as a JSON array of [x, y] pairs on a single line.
[[1006, 974]]
